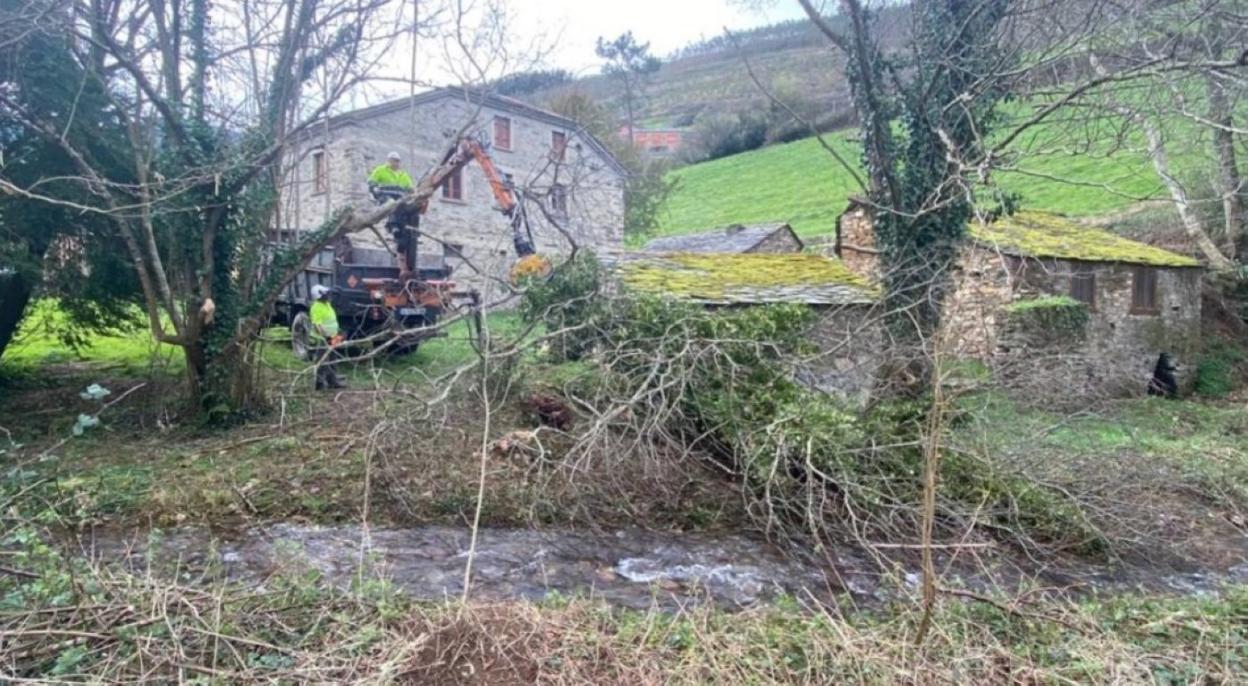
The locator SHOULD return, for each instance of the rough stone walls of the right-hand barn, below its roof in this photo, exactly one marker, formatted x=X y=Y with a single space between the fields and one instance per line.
x=1116 y=354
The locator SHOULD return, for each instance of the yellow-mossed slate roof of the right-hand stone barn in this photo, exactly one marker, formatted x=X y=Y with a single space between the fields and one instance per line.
x=1044 y=235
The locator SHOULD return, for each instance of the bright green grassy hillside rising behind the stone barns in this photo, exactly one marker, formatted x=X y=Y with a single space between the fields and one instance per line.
x=804 y=185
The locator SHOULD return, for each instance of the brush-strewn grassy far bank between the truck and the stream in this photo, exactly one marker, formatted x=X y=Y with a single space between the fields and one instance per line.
x=319 y=457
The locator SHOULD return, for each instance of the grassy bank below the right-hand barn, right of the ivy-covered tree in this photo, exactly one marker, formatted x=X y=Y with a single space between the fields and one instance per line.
x=1163 y=481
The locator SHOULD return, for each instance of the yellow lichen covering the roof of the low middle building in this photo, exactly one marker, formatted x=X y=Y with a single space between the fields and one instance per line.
x=721 y=276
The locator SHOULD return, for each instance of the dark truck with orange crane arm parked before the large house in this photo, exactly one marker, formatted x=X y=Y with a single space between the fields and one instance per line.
x=395 y=296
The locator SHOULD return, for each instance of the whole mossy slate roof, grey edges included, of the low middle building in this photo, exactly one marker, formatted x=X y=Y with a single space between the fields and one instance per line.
x=744 y=279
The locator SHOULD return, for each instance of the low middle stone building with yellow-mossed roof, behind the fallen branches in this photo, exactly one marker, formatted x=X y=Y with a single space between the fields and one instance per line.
x=847 y=330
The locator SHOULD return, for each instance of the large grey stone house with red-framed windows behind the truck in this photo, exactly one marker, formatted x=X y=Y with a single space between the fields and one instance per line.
x=575 y=179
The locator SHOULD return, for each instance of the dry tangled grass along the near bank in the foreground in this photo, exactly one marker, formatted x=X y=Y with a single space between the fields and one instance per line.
x=114 y=627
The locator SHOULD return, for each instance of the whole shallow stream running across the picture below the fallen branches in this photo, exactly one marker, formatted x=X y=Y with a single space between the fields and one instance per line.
x=630 y=568
